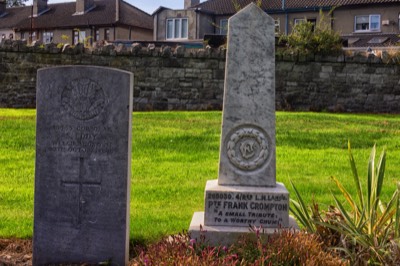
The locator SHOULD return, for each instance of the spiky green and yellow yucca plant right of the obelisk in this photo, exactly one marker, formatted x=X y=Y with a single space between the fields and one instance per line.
x=367 y=222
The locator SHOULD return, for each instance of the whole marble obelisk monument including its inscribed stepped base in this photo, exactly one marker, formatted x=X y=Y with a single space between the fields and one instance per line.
x=246 y=192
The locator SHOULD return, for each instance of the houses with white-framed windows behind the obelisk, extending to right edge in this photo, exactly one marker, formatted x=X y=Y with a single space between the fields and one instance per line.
x=361 y=22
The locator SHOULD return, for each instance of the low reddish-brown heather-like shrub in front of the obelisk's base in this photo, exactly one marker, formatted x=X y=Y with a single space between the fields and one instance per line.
x=284 y=248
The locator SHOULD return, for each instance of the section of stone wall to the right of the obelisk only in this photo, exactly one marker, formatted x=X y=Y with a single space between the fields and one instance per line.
x=354 y=83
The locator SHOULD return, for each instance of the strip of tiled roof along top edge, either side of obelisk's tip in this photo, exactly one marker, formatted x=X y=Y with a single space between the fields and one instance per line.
x=226 y=7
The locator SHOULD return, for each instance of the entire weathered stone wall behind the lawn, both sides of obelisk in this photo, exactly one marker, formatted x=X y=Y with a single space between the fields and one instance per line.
x=185 y=79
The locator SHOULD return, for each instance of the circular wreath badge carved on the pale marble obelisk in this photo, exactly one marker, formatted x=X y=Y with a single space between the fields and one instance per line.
x=248 y=148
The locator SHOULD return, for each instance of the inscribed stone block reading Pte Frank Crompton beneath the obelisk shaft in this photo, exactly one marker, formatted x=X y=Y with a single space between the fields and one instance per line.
x=242 y=205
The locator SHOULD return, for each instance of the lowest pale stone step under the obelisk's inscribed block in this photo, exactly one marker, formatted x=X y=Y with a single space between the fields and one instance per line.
x=226 y=235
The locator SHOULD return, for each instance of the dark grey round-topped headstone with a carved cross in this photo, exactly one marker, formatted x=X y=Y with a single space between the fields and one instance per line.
x=83 y=156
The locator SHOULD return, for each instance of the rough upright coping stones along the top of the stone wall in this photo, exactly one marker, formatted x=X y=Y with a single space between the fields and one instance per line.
x=389 y=56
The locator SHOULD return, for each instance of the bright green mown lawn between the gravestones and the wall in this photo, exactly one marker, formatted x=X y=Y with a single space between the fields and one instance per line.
x=175 y=153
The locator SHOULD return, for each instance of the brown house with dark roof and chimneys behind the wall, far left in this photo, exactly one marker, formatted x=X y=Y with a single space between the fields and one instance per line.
x=73 y=22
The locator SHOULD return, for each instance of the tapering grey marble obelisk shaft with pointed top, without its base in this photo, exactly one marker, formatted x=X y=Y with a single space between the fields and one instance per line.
x=247 y=151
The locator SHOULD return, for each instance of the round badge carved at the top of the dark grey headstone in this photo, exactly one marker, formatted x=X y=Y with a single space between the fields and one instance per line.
x=83 y=98
